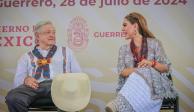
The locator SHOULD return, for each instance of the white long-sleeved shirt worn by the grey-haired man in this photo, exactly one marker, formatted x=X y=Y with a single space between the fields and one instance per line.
x=24 y=67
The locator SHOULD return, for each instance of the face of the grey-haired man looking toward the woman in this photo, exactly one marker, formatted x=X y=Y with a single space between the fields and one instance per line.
x=46 y=35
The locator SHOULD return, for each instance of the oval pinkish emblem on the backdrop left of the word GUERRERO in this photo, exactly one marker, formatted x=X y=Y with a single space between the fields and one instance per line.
x=77 y=33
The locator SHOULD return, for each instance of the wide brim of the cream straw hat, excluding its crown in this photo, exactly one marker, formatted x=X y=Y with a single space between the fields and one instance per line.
x=65 y=103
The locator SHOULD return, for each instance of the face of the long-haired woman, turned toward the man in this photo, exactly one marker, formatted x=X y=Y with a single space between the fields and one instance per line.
x=129 y=29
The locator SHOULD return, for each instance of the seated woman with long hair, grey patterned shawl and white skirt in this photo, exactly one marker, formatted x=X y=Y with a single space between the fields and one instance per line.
x=143 y=70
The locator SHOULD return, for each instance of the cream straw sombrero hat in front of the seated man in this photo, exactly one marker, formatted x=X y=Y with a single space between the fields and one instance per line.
x=71 y=91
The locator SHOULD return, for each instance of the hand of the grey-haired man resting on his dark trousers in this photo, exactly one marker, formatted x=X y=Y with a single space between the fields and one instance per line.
x=31 y=82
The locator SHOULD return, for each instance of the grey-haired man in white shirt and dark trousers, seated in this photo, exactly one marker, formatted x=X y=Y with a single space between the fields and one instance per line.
x=37 y=68
